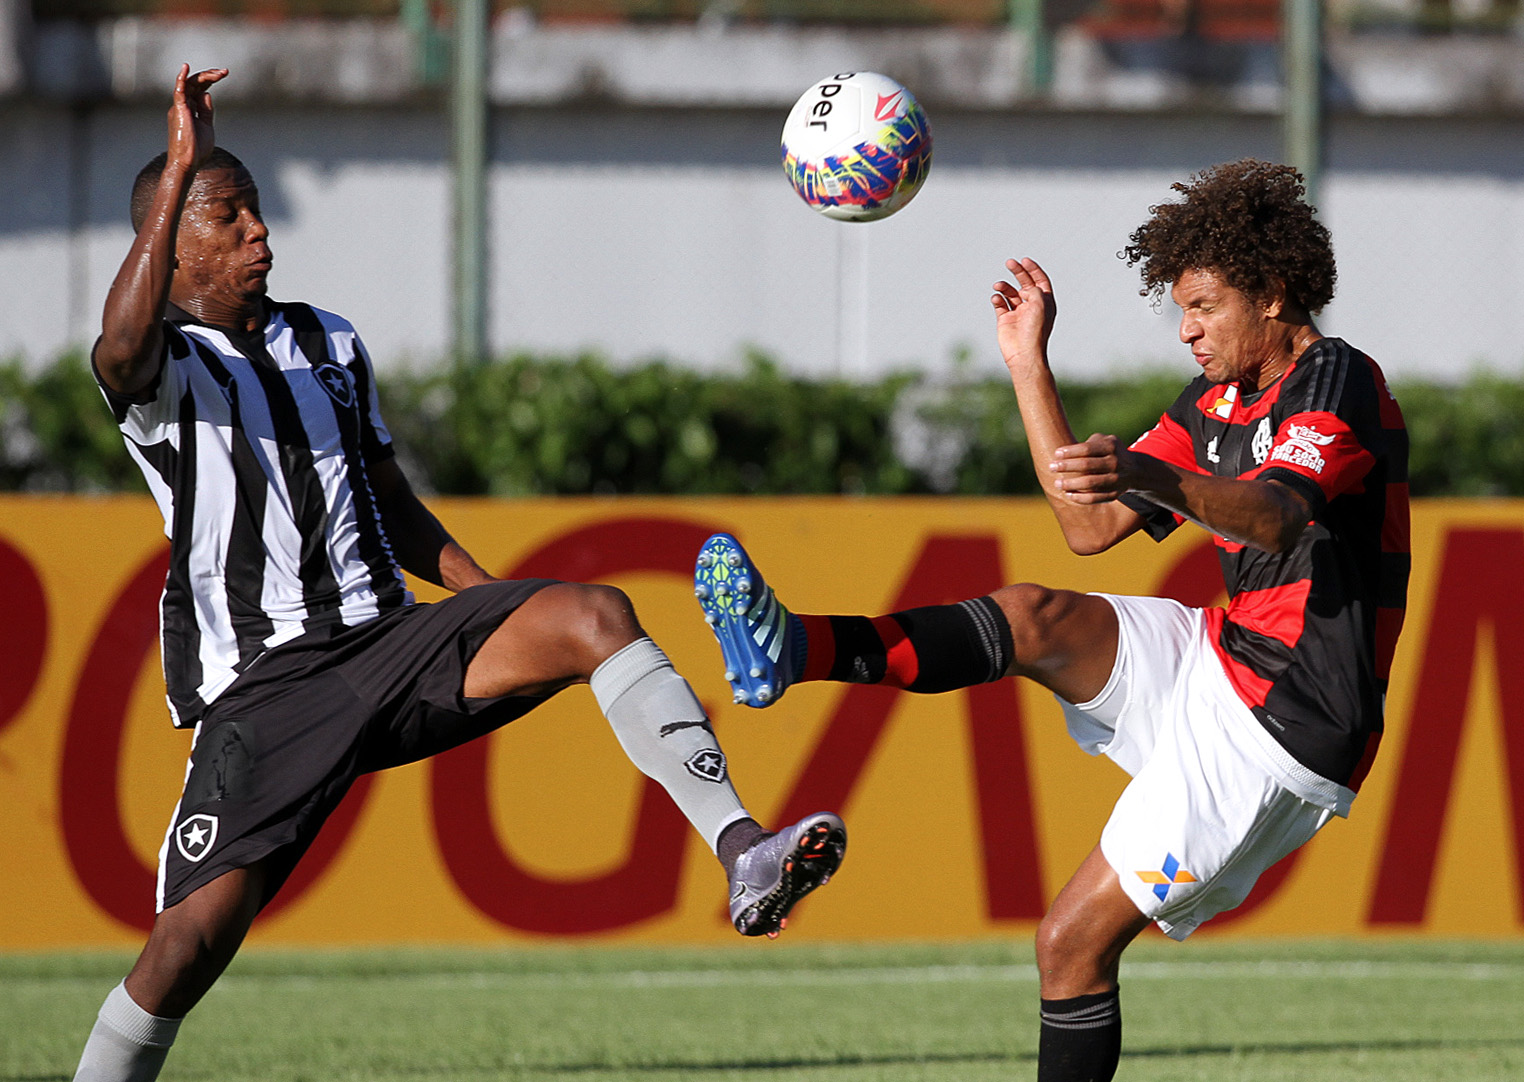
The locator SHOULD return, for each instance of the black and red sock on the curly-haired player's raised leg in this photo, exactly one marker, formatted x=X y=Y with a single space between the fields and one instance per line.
x=923 y=650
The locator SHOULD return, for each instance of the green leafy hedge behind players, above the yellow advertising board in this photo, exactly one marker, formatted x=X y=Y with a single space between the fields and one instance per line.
x=531 y=426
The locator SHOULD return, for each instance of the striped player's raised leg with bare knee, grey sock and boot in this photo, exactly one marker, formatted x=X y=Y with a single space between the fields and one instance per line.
x=572 y=633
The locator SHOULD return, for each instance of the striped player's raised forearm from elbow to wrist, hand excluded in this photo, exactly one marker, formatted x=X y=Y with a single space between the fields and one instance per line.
x=132 y=338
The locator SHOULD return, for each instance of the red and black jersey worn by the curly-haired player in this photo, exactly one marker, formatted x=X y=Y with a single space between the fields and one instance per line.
x=1308 y=636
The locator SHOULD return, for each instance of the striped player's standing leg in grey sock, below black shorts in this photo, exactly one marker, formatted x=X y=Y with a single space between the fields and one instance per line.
x=188 y=950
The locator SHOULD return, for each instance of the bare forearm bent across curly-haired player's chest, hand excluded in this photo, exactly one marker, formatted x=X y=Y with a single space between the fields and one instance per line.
x=1260 y=514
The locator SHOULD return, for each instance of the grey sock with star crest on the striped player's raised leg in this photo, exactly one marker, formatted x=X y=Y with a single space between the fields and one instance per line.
x=665 y=732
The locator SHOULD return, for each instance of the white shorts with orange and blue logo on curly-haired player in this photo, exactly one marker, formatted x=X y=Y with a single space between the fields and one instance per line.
x=1214 y=801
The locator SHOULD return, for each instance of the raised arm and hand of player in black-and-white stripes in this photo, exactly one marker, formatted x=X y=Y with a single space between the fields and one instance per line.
x=132 y=339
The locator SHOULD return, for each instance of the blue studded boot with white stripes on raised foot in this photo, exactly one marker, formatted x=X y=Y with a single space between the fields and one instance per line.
x=763 y=642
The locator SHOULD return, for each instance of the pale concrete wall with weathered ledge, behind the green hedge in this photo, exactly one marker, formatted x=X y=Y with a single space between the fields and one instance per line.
x=636 y=225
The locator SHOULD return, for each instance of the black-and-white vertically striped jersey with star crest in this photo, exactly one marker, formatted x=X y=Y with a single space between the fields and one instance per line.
x=257 y=449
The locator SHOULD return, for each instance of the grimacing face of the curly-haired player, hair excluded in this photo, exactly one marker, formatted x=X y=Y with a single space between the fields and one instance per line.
x=1231 y=336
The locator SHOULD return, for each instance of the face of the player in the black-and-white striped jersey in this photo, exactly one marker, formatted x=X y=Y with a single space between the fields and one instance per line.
x=223 y=248
